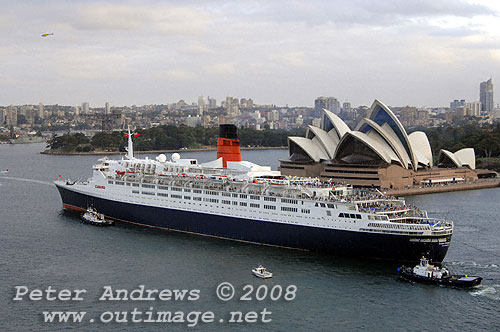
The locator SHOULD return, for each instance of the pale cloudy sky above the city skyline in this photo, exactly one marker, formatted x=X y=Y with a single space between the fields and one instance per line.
x=419 y=53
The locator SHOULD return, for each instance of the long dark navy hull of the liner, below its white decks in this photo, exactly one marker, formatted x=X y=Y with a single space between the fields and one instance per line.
x=403 y=248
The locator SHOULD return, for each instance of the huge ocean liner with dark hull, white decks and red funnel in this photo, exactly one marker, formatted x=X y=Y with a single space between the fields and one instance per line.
x=238 y=200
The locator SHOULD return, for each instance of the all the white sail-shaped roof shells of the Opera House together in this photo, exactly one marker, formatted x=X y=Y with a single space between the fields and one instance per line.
x=380 y=137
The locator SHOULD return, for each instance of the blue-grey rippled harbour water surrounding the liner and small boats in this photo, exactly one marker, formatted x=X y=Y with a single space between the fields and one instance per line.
x=41 y=245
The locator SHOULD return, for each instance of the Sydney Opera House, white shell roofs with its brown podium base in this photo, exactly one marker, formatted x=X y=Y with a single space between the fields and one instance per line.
x=377 y=153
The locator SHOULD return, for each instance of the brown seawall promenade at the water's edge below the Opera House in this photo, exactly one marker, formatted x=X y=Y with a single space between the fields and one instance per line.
x=445 y=188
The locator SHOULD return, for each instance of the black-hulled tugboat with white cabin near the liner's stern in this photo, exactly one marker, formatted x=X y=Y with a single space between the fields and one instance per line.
x=431 y=274
